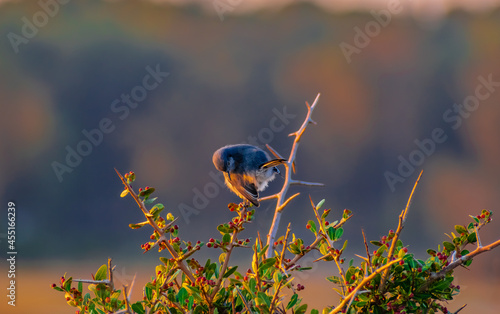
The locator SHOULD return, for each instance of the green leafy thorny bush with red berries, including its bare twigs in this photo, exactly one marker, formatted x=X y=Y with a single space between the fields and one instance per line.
x=388 y=280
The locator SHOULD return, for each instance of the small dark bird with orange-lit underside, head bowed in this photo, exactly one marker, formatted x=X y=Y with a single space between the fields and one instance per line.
x=247 y=169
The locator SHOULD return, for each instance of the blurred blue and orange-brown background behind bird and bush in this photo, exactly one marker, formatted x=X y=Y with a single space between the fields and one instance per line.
x=157 y=86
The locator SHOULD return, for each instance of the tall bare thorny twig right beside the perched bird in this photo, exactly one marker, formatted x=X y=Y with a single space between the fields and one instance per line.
x=282 y=201
